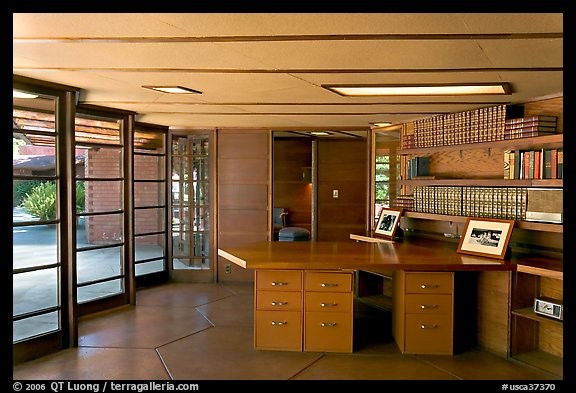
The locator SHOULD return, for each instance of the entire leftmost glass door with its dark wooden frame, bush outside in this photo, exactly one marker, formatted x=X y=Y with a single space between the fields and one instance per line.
x=42 y=319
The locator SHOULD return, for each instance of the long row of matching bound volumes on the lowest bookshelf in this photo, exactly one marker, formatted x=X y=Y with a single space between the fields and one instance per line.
x=489 y=202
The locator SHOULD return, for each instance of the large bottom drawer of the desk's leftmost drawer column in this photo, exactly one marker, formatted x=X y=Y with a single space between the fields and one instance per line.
x=278 y=330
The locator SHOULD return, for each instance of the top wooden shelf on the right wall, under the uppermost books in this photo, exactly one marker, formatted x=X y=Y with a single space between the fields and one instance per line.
x=549 y=141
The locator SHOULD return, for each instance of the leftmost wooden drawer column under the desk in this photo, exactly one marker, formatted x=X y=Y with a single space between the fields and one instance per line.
x=278 y=313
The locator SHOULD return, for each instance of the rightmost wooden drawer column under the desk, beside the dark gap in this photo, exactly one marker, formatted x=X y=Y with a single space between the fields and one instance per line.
x=423 y=312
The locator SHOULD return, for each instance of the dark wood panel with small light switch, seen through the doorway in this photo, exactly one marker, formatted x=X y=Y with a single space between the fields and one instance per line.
x=342 y=166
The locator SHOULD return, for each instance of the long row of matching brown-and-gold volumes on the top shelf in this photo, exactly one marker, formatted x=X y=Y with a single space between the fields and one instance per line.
x=478 y=125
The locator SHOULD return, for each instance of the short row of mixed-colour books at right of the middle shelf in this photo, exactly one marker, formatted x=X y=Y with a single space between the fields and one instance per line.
x=534 y=164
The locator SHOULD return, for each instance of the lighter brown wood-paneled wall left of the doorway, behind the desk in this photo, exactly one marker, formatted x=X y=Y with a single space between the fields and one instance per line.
x=244 y=193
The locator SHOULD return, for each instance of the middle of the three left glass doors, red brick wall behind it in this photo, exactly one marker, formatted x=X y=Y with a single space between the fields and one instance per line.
x=103 y=201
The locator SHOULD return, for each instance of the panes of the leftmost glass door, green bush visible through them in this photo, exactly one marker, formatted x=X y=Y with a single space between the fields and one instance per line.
x=36 y=224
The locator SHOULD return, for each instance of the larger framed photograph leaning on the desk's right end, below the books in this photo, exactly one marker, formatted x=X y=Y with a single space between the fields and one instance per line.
x=486 y=237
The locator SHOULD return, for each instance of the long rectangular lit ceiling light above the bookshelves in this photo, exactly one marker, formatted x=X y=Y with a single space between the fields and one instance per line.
x=445 y=89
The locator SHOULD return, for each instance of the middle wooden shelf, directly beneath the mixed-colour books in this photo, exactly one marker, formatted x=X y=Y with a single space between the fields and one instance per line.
x=556 y=183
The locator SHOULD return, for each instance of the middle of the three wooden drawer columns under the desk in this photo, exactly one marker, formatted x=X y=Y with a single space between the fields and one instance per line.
x=328 y=317
